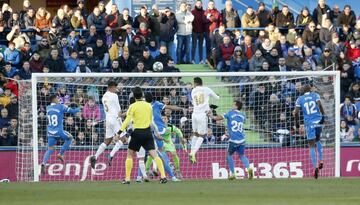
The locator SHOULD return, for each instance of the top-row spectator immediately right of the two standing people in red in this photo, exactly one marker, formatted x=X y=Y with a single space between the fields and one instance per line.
x=229 y=16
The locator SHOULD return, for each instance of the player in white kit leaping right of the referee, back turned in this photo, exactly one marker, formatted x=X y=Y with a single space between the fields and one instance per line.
x=200 y=99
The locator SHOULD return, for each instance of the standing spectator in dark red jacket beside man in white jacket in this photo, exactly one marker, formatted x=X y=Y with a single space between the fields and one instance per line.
x=198 y=31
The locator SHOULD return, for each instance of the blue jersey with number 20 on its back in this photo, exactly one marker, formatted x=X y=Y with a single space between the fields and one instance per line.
x=235 y=123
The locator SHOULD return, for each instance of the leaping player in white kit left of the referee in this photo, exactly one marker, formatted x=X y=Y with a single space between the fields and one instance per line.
x=112 y=108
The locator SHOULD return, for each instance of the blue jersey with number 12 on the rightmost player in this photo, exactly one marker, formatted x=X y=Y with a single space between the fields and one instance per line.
x=308 y=104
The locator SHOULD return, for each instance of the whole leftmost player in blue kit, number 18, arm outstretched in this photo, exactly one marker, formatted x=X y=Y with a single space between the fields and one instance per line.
x=55 y=131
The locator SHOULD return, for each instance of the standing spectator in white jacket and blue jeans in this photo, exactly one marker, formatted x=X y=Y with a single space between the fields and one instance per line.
x=184 y=19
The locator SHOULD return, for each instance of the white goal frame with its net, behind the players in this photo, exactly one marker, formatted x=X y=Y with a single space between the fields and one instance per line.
x=267 y=150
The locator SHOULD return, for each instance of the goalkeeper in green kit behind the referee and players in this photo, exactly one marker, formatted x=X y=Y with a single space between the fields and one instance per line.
x=169 y=146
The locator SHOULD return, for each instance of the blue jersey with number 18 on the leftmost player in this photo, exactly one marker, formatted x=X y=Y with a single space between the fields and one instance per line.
x=55 y=116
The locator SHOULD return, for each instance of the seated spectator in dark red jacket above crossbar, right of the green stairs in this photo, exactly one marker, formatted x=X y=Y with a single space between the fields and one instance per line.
x=225 y=53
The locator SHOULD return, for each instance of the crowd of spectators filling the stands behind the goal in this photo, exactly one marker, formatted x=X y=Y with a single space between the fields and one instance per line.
x=75 y=40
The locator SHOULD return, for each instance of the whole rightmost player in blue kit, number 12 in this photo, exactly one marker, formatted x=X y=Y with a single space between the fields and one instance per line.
x=314 y=116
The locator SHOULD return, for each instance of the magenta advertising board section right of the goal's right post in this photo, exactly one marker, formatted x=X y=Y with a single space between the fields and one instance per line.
x=350 y=161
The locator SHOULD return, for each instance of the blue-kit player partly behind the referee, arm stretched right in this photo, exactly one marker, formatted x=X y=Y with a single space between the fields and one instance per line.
x=157 y=108
